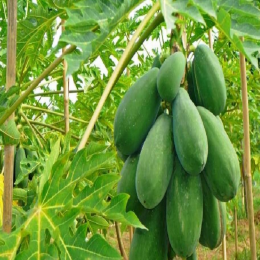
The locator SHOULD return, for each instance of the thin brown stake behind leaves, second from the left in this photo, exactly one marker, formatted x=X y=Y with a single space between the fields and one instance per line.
x=65 y=90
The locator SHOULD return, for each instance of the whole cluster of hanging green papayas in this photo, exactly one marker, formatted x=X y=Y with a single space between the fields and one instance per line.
x=180 y=166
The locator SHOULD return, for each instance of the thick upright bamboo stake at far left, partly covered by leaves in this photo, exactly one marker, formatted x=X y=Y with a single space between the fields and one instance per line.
x=10 y=81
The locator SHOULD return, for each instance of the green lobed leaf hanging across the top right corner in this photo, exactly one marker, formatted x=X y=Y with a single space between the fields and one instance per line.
x=233 y=18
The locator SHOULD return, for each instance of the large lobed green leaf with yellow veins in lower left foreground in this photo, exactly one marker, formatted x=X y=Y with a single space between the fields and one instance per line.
x=49 y=231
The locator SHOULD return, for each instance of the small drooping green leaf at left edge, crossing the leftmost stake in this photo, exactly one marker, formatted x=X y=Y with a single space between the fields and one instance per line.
x=10 y=133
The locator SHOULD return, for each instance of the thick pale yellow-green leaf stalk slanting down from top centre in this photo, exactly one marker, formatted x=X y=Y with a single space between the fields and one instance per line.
x=125 y=58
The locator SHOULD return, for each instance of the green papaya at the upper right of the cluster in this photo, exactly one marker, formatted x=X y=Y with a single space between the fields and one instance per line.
x=209 y=80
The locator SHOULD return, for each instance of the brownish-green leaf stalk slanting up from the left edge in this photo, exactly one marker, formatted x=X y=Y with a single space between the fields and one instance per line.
x=34 y=84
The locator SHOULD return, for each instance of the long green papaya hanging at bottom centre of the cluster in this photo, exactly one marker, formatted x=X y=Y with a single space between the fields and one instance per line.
x=184 y=209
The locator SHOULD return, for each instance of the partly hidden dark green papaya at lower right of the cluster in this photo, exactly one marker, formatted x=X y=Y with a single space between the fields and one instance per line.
x=214 y=219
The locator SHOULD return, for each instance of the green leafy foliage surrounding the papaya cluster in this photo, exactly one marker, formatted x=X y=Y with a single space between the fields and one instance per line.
x=71 y=195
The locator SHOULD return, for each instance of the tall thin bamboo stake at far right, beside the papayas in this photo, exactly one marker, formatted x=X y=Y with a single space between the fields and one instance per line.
x=247 y=158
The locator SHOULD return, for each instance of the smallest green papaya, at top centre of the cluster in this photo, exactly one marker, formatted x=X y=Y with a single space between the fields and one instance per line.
x=170 y=76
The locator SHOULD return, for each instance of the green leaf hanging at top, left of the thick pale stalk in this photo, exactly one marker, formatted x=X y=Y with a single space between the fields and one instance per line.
x=89 y=24
